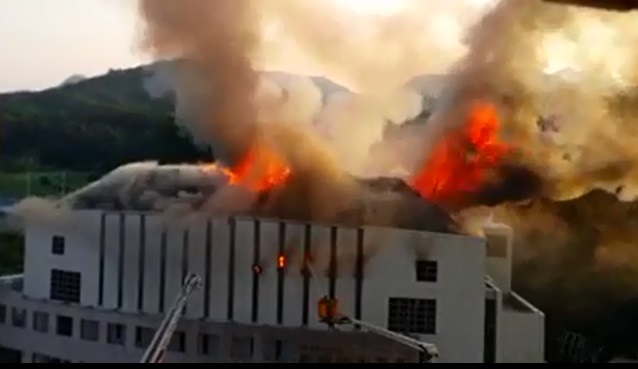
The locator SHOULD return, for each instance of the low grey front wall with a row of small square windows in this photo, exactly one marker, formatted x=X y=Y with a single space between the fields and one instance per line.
x=336 y=346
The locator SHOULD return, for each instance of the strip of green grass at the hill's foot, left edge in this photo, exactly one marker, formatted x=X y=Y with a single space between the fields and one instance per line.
x=17 y=185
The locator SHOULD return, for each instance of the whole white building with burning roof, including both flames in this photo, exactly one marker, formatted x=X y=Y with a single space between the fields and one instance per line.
x=270 y=236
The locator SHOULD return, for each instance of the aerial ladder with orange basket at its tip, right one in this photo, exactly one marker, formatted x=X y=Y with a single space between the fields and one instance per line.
x=328 y=310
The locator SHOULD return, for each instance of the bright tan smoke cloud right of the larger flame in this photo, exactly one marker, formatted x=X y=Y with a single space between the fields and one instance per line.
x=565 y=79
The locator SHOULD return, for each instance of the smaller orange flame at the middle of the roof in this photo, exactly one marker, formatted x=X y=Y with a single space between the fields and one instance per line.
x=259 y=170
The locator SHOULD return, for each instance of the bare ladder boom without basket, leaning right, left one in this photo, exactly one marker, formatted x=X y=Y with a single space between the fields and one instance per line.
x=156 y=350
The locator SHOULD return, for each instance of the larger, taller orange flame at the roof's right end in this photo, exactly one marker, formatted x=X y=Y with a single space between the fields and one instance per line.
x=460 y=163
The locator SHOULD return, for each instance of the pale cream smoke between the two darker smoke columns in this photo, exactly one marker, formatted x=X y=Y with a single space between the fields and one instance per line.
x=373 y=48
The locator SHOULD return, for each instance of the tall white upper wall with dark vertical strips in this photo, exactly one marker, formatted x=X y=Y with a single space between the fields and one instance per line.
x=134 y=264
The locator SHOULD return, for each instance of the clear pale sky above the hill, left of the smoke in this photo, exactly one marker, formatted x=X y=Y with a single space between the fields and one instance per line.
x=42 y=42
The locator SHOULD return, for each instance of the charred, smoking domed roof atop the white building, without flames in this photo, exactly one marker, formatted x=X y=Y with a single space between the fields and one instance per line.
x=150 y=187
